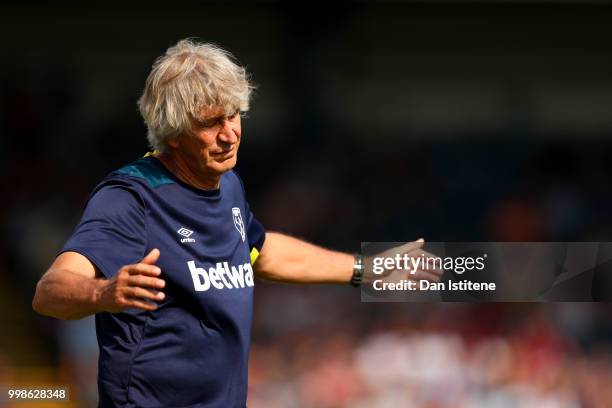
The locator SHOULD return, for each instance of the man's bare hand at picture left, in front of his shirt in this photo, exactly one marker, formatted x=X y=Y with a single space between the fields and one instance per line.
x=134 y=286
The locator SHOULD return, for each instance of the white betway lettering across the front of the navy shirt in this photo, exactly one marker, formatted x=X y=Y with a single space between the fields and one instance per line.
x=222 y=276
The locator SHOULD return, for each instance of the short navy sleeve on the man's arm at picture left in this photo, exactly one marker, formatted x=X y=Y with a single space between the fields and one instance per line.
x=112 y=231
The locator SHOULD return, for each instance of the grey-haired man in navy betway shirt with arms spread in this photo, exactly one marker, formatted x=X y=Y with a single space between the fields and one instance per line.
x=167 y=249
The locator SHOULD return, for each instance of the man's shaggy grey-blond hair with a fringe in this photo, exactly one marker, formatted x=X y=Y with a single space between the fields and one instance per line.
x=191 y=76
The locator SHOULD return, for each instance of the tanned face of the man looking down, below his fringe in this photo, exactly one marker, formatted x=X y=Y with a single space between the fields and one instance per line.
x=212 y=148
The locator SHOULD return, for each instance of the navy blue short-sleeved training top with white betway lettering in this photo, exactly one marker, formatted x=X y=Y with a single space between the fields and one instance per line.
x=193 y=350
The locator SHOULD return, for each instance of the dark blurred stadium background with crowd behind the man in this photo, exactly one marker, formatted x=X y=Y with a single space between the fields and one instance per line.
x=372 y=121
